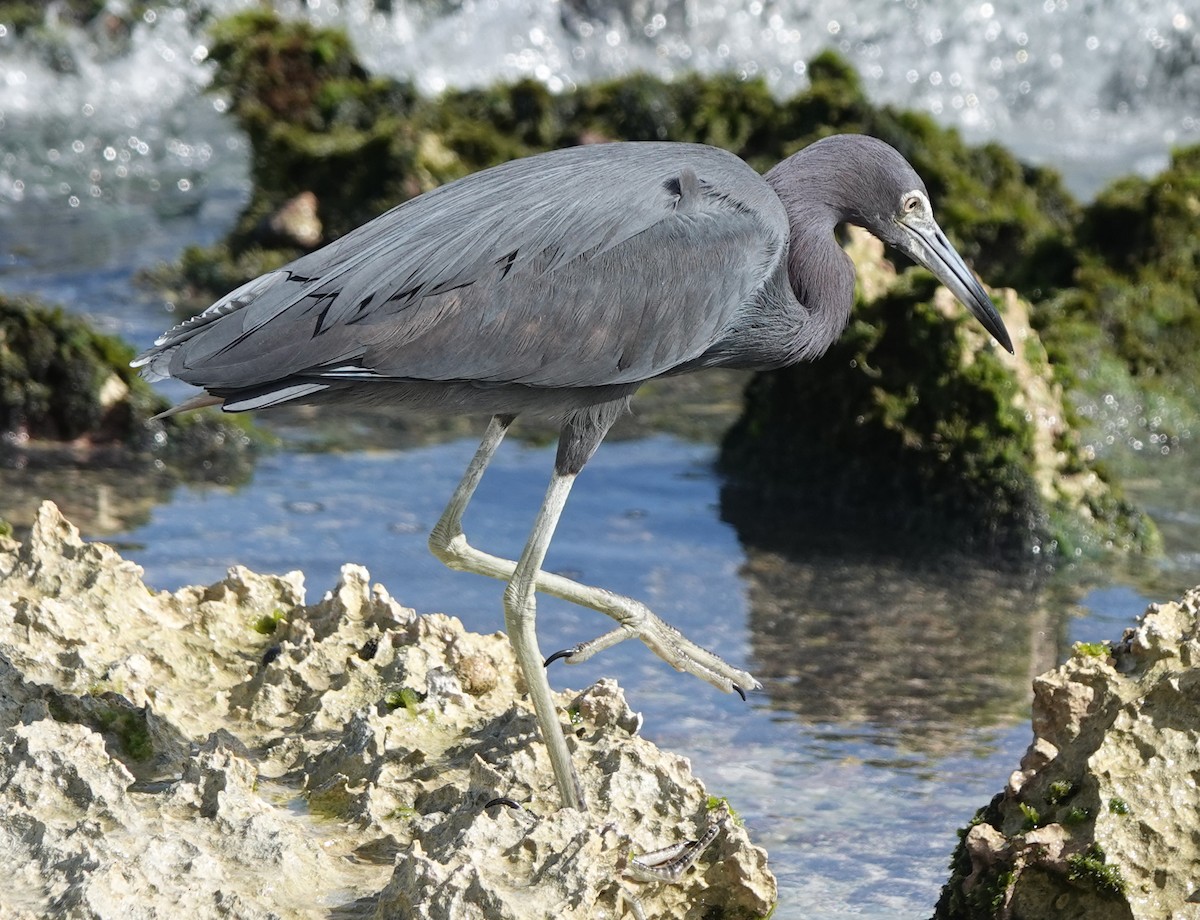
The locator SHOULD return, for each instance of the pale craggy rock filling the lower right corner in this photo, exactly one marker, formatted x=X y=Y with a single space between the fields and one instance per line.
x=1103 y=819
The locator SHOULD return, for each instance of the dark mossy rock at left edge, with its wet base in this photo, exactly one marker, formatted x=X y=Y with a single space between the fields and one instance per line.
x=76 y=419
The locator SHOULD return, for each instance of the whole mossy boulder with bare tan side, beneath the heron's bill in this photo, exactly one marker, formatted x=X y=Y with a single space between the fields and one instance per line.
x=915 y=424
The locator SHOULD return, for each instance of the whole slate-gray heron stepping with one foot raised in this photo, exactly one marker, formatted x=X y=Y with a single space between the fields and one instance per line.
x=559 y=285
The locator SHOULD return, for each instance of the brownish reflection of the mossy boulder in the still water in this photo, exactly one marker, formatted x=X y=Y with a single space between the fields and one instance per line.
x=913 y=650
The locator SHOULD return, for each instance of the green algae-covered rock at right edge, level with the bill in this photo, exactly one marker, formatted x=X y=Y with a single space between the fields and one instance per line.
x=1127 y=328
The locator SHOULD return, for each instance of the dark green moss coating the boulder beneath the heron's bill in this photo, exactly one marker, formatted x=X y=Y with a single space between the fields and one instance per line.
x=896 y=424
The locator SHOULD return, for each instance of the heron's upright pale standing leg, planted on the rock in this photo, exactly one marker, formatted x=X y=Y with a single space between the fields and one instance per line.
x=520 y=616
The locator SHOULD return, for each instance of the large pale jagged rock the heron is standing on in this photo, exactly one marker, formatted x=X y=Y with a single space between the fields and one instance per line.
x=231 y=751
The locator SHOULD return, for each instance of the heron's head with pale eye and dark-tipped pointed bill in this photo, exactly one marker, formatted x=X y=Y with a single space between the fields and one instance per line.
x=883 y=194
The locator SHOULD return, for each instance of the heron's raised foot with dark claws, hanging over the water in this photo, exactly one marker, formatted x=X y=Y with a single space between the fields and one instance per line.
x=665 y=641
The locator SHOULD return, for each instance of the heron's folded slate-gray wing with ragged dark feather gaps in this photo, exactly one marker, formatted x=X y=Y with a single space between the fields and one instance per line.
x=585 y=267
